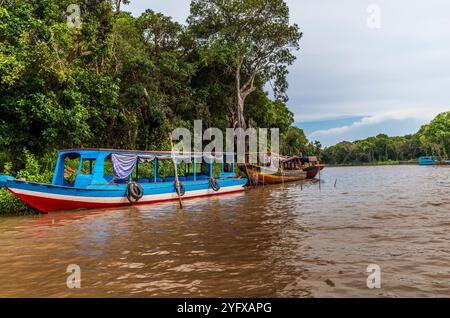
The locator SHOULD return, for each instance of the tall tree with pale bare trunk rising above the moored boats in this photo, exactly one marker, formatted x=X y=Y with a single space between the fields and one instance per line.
x=253 y=37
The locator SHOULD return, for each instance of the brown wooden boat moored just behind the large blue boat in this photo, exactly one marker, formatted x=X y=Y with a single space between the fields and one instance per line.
x=289 y=171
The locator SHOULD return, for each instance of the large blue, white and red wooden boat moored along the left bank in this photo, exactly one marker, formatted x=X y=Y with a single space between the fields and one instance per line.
x=100 y=179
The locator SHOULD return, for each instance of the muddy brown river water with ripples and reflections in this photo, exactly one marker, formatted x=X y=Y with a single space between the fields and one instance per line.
x=276 y=241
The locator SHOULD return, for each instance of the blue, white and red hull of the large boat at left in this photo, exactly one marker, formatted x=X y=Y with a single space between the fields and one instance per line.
x=49 y=198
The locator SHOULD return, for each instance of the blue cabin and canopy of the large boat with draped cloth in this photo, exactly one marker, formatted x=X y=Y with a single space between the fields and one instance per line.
x=90 y=169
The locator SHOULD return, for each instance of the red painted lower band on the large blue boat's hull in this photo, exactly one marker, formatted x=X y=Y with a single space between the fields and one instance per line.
x=47 y=205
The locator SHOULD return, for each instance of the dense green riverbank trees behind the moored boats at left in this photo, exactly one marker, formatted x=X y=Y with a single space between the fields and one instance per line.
x=114 y=80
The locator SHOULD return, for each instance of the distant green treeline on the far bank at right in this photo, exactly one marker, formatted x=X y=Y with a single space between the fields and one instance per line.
x=432 y=139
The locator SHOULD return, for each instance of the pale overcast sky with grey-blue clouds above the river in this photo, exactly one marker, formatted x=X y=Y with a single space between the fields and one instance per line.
x=351 y=81
